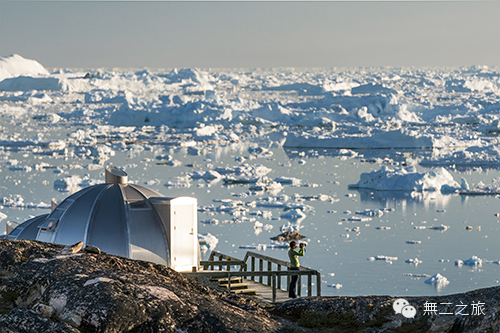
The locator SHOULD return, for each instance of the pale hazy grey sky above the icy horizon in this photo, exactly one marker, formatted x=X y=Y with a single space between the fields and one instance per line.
x=251 y=34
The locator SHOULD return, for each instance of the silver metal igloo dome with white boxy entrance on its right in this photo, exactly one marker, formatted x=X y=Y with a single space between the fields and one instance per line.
x=123 y=219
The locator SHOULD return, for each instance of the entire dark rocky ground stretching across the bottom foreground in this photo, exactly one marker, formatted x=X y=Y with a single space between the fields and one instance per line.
x=43 y=290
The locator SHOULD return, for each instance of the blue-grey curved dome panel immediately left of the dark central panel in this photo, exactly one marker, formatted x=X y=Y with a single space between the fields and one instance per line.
x=73 y=223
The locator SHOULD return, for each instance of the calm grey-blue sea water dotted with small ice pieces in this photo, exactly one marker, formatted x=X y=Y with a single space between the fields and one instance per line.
x=339 y=246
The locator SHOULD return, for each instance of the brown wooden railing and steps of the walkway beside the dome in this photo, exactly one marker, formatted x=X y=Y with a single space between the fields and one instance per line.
x=263 y=269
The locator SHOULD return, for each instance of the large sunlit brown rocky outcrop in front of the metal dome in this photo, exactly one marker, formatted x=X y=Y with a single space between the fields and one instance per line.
x=43 y=290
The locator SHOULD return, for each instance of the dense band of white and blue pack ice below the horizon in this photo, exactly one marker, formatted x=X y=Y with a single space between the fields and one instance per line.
x=373 y=108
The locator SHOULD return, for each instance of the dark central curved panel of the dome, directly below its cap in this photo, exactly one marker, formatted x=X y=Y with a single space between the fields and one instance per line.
x=108 y=228
